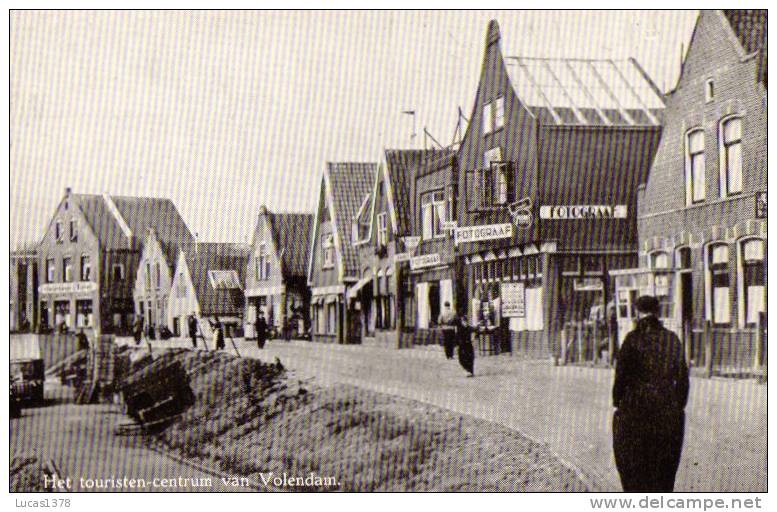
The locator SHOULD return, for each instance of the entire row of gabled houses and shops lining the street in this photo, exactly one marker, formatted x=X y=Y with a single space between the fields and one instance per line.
x=577 y=186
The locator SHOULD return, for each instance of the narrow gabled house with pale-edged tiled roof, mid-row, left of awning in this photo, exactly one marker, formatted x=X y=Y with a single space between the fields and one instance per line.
x=333 y=265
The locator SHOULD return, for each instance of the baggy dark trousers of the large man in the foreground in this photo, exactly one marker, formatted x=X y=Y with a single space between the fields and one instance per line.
x=647 y=449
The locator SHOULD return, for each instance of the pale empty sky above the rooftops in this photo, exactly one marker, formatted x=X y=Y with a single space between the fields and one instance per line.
x=225 y=111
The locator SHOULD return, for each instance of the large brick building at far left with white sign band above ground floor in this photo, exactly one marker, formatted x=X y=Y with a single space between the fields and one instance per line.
x=89 y=254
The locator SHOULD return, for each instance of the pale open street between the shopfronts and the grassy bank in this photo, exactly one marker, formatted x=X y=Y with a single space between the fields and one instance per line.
x=569 y=408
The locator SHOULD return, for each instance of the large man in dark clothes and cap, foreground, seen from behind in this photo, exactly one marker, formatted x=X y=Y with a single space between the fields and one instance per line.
x=650 y=394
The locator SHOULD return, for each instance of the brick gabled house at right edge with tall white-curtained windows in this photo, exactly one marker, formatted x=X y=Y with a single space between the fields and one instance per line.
x=702 y=212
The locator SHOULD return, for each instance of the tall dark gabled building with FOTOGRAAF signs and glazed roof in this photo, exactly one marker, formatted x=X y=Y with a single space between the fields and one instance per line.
x=547 y=186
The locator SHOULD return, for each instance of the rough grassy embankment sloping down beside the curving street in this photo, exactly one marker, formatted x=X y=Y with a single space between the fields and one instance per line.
x=252 y=418
